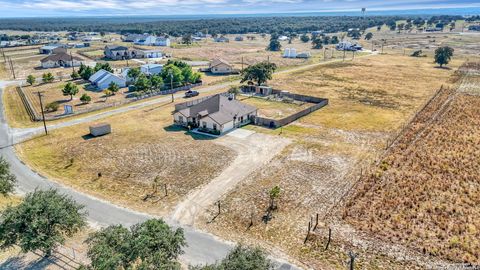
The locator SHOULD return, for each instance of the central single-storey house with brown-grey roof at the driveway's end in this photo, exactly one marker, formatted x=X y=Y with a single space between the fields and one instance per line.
x=215 y=114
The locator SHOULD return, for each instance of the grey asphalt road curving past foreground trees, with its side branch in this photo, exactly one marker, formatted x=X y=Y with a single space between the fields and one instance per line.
x=202 y=247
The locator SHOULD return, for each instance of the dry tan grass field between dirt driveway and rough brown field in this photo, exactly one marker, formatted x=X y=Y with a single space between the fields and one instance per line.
x=370 y=99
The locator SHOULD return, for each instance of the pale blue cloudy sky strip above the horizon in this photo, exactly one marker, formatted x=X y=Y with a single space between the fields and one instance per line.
x=40 y=8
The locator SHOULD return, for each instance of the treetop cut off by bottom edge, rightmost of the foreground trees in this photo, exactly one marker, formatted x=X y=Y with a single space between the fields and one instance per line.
x=242 y=257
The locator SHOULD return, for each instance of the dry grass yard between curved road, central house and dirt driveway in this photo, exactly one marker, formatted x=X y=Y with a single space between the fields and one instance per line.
x=141 y=147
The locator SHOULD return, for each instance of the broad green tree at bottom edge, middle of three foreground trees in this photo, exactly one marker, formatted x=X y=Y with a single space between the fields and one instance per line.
x=150 y=245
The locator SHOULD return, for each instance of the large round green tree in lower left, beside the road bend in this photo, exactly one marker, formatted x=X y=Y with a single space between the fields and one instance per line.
x=41 y=221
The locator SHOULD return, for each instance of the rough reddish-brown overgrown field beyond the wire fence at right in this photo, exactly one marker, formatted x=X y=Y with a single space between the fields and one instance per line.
x=423 y=192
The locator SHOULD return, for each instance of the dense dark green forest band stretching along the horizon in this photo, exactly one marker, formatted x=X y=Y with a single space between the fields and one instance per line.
x=280 y=25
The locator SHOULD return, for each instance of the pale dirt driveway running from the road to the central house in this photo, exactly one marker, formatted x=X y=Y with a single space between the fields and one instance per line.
x=254 y=150
